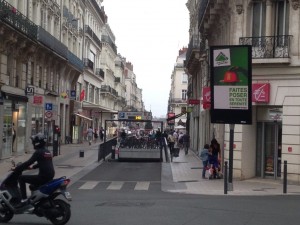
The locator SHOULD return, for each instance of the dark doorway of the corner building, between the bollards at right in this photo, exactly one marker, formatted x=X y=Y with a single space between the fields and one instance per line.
x=268 y=153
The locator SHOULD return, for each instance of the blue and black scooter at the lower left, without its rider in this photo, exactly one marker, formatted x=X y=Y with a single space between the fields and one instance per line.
x=43 y=201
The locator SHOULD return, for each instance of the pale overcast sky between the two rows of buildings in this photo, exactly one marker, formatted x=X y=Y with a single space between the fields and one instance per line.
x=149 y=34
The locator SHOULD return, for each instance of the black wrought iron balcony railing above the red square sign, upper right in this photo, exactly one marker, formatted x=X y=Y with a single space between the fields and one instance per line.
x=268 y=46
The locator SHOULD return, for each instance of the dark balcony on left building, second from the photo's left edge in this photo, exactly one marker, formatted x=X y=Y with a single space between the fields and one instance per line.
x=51 y=42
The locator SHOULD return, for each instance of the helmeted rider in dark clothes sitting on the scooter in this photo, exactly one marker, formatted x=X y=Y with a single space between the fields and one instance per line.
x=43 y=157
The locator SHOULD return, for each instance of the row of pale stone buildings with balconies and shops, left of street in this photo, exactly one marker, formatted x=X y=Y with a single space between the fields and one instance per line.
x=59 y=71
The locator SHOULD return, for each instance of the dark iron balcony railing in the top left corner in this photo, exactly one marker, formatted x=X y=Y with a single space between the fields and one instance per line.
x=17 y=20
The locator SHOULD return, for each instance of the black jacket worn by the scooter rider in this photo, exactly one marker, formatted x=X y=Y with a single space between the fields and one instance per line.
x=43 y=157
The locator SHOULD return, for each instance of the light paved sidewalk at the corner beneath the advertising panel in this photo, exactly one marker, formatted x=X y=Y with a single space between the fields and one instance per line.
x=187 y=178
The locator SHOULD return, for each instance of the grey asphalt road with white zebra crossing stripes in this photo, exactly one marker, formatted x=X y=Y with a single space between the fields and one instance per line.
x=130 y=194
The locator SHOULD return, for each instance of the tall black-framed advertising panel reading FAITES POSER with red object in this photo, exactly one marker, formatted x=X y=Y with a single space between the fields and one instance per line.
x=231 y=84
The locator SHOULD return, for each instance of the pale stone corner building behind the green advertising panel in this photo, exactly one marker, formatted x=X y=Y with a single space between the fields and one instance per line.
x=271 y=28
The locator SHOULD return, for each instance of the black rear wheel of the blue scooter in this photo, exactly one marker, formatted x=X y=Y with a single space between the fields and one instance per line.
x=64 y=214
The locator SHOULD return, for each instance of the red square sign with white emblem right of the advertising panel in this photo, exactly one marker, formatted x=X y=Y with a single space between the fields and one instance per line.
x=261 y=92
